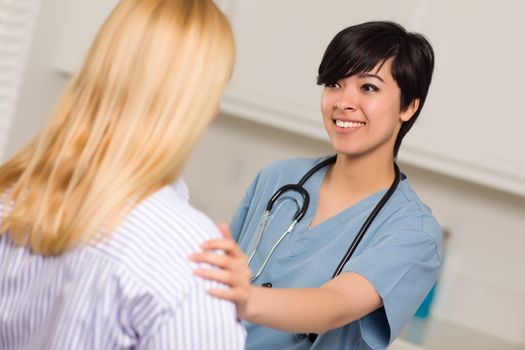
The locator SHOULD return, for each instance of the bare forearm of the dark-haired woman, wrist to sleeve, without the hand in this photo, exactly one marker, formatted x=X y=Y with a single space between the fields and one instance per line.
x=340 y=301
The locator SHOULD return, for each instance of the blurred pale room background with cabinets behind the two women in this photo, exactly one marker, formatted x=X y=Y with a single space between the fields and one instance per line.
x=465 y=156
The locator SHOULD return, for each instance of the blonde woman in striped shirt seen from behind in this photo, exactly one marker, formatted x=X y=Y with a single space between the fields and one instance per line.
x=95 y=226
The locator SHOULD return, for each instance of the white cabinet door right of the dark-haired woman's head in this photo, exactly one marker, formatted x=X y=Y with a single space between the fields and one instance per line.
x=473 y=124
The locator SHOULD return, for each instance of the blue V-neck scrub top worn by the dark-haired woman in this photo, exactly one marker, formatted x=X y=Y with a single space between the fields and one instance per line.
x=400 y=254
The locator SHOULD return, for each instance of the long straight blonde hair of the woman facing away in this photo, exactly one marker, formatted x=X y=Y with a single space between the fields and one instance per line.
x=149 y=86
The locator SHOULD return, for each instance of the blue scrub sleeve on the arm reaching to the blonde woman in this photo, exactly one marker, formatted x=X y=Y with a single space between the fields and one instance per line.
x=402 y=265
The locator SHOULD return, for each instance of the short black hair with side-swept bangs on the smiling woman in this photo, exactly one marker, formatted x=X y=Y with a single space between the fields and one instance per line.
x=359 y=48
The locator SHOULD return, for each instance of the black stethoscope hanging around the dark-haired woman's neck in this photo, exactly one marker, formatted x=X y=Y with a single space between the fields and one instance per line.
x=302 y=209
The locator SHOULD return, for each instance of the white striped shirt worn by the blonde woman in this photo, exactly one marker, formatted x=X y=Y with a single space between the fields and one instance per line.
x=134 y=290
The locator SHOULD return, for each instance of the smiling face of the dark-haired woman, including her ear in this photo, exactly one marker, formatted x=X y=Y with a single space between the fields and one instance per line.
x=362 y=113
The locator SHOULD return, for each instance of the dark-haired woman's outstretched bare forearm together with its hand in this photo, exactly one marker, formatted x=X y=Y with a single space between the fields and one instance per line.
x=342 y=300
